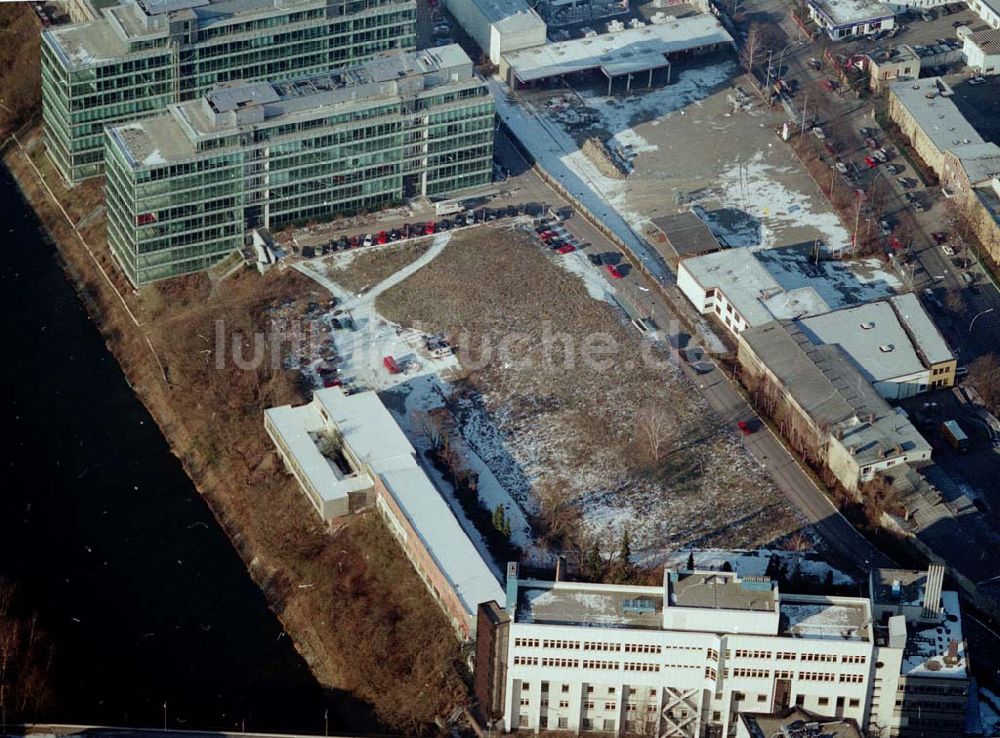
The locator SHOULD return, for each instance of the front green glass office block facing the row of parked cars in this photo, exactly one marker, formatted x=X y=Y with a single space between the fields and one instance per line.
x=185 y=187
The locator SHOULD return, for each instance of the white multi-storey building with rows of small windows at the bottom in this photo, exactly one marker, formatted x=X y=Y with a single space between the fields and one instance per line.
x=686 y=658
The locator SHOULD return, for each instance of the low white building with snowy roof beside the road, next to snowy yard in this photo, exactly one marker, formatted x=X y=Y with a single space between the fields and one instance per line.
x=735 y=287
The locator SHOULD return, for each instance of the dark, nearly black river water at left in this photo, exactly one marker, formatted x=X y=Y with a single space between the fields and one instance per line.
x=146 y=601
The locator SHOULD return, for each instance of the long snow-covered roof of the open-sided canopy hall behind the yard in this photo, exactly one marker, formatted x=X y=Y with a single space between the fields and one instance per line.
x=631 y=50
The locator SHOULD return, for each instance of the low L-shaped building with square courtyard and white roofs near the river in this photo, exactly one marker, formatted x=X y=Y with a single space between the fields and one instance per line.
x=348 y=454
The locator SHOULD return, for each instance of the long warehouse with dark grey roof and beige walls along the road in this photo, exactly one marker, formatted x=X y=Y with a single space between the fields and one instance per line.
x=838 y=416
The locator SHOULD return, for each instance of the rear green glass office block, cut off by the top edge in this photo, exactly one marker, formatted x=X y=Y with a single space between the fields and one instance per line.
x=142 y=55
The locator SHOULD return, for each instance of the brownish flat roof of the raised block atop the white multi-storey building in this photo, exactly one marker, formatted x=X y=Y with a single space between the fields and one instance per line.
x=721 y=591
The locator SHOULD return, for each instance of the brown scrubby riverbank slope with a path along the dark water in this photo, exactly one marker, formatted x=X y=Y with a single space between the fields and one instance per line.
x=350 y=601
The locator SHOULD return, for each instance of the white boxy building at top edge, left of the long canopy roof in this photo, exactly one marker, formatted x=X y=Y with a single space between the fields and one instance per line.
x=499 y=26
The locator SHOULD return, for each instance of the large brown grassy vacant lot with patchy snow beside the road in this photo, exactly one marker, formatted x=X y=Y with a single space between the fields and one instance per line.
x=590 y=429
